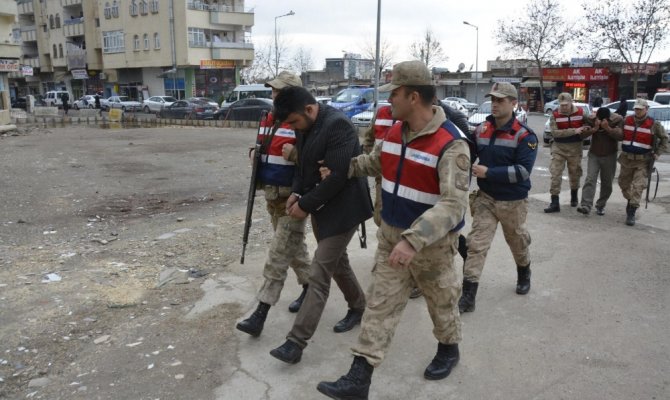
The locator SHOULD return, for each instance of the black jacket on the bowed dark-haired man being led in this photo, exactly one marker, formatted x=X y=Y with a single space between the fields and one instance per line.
x=337 y=203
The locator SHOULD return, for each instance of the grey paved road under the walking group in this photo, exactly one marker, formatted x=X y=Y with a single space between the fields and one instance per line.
x=594 y=326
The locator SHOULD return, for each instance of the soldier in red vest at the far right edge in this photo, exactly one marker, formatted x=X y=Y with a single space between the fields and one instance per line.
x=643 y=142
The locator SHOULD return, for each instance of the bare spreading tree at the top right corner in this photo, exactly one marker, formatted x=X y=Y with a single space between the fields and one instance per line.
x=626 y=31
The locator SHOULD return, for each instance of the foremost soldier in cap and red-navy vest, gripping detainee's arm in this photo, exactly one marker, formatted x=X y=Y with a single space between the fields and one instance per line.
x=425 y=165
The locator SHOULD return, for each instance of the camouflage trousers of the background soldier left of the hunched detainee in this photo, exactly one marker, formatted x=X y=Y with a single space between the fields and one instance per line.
x=562 y=154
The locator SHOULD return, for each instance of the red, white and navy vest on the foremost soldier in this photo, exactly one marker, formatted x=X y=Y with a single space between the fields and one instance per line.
x=410 y=181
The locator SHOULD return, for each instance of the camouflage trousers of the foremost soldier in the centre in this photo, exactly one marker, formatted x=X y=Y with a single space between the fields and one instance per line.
x=433 y=271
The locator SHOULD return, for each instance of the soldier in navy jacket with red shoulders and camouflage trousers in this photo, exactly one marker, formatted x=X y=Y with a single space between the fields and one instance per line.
x=506 y=150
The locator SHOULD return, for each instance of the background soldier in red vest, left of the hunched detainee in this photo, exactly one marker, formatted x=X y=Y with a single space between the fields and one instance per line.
x=567 y=124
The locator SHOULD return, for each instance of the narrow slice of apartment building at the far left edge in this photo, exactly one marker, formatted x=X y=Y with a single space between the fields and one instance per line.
x=10 y=52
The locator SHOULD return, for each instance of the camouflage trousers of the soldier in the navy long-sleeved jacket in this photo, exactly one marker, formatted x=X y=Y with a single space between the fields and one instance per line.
x=487 y=212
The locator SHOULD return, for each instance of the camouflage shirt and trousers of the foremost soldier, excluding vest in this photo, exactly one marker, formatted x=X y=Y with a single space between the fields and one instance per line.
x=432 y=269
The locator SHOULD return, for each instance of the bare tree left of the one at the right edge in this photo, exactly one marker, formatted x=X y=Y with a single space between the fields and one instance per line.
x=540 y=34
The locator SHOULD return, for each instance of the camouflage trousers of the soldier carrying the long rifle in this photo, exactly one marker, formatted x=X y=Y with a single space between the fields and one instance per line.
x=287 y=248
